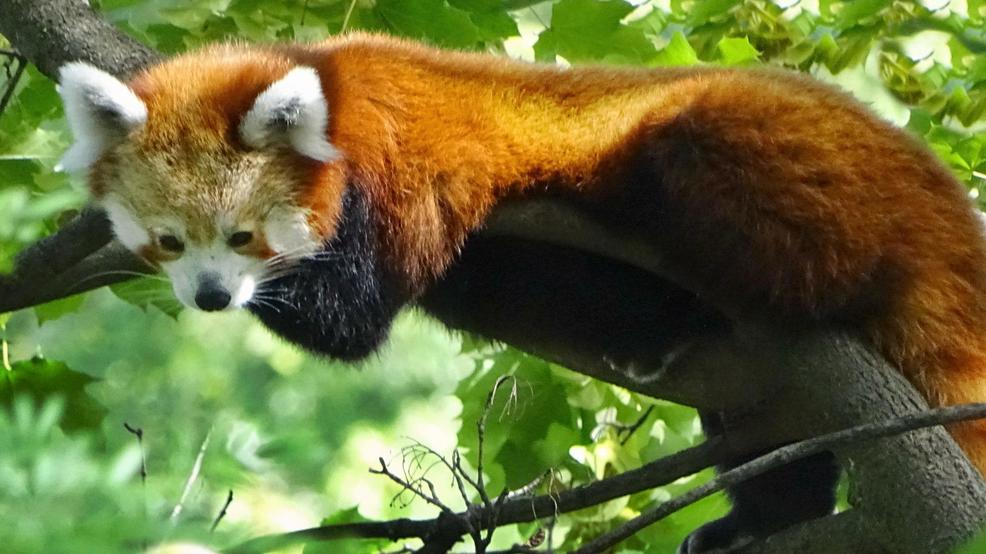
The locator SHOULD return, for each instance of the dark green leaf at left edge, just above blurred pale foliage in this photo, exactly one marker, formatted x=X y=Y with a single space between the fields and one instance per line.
x=41 y=379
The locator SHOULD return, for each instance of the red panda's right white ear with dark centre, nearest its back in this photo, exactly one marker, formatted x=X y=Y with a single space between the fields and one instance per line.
x=293 y=111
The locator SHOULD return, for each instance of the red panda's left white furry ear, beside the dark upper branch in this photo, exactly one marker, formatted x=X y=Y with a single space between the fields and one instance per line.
x=100 y=110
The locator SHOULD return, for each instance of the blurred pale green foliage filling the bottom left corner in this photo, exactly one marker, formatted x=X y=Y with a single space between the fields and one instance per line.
x=67 y=495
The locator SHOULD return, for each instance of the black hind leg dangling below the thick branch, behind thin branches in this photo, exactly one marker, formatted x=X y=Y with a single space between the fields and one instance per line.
x=780 y=498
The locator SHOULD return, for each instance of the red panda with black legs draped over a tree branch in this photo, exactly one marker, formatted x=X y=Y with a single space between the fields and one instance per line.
x=325 y=186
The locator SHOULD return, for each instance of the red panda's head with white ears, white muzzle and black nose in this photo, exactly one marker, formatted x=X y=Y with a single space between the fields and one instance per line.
x=202 y=164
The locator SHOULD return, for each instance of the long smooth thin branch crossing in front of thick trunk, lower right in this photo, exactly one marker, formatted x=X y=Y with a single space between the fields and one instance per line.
x=783 y=456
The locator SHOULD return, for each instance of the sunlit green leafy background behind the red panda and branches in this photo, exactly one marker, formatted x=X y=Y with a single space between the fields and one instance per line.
x=293 y=436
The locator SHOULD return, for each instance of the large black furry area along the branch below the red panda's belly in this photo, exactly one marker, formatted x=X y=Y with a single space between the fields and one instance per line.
x=541 y=297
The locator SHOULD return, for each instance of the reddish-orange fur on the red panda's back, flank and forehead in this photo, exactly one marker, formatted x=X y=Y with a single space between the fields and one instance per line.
x=777 y=190
